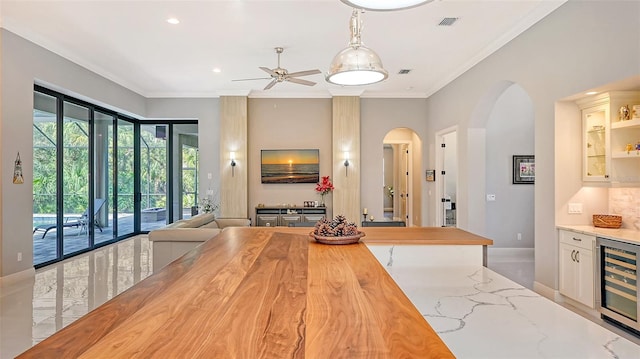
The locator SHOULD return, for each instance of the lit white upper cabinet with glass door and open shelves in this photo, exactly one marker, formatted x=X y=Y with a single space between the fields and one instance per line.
x=609 y=141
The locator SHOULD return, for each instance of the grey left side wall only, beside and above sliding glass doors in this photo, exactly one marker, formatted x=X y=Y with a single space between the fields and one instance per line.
x=23 y=64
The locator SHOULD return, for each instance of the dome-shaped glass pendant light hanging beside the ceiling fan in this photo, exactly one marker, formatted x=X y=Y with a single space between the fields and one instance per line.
x=357 y=64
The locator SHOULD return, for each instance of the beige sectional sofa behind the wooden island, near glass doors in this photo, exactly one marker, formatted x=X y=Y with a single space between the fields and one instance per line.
x=178 y=238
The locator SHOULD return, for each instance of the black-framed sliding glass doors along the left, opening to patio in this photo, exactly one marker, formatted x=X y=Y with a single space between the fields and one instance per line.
x=99 y=176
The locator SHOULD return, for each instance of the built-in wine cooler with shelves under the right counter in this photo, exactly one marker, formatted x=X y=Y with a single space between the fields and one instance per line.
x=617 y=295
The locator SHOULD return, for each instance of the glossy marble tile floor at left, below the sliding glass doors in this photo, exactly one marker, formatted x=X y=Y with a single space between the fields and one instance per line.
x=59 y=294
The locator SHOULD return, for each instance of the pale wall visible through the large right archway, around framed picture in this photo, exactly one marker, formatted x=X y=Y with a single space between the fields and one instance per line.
x=509 y=132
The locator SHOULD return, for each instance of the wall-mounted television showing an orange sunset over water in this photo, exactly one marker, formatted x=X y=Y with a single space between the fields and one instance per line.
x=290 y=166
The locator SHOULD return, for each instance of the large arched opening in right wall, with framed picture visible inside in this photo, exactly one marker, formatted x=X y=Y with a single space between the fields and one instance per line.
x=502 y=127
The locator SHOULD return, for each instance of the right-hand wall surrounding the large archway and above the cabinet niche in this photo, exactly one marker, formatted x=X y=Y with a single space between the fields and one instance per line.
x=565 y=53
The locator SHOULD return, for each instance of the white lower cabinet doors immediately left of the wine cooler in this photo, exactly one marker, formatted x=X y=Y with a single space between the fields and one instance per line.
x=576 y=267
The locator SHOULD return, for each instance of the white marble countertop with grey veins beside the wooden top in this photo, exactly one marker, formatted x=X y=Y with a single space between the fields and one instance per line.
x=480 y=314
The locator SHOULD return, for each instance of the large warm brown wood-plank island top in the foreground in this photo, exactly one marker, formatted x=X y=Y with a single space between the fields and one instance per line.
x=256 y=293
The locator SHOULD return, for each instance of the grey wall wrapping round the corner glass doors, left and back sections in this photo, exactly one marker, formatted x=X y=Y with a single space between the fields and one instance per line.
x=23 y=64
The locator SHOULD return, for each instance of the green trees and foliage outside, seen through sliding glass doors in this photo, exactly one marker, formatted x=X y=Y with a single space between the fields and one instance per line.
x=75 y=167
